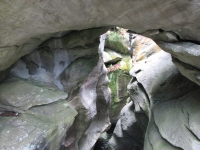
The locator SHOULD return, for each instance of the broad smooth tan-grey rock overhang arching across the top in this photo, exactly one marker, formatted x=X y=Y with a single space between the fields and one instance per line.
x=25 y=25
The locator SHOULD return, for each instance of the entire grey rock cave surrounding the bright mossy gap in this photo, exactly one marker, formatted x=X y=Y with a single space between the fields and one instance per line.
x=50 y=66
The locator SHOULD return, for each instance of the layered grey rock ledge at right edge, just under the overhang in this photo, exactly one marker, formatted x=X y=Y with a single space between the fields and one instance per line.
x=186 y=58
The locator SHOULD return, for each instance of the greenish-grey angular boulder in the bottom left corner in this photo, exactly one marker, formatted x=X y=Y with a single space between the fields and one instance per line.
x=41 y=127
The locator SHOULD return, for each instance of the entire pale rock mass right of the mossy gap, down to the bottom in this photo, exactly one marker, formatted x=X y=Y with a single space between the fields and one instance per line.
x=156 y=85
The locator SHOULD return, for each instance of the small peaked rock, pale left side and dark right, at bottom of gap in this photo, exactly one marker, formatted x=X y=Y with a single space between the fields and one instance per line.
x=130 y=130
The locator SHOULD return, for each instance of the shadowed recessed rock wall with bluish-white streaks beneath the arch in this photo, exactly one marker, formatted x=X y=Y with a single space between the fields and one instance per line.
x=52 y=61
